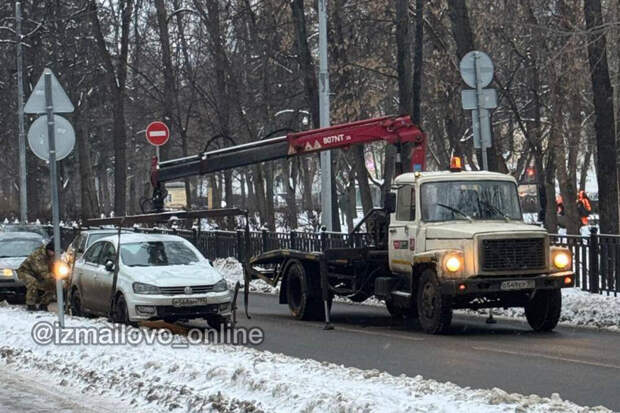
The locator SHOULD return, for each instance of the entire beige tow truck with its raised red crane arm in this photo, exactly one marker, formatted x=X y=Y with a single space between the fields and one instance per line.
x=442 y=241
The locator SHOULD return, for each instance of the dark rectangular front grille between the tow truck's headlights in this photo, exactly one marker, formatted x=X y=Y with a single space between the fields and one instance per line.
x=513 y=254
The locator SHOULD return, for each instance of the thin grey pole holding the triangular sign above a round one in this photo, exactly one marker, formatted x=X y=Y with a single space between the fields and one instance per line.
x=54 y=189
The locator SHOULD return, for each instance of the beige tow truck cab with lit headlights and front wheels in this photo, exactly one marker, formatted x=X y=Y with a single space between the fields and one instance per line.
x=457 y=240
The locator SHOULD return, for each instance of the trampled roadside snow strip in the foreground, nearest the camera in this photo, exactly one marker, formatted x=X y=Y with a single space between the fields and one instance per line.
x=227 y=378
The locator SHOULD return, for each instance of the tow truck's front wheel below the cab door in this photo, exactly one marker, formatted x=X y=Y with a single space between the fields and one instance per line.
x=434 y=309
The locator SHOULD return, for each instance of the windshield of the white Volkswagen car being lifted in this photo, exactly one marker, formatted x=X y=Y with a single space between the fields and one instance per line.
x=157 y=254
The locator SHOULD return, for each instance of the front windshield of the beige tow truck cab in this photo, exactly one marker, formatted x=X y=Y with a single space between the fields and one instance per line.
x=465 y=200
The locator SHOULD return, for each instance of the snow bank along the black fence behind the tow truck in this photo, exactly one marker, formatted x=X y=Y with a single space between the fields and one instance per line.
x=579 y=308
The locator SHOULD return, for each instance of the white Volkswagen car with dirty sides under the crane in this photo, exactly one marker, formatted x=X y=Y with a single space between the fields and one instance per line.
x=160 y=277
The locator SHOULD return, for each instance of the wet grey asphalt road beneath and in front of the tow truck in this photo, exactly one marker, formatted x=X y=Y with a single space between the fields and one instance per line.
x=582 y=365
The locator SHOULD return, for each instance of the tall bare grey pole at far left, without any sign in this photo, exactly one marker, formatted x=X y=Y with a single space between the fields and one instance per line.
x=23 y=197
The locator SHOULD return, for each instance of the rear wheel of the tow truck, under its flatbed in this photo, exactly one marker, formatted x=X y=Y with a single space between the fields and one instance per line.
x=304 y=303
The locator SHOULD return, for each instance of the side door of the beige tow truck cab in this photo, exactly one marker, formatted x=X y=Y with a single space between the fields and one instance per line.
x=402 y=230
